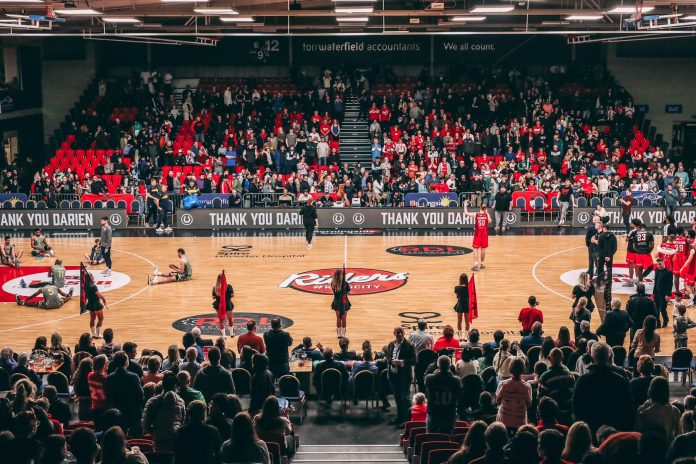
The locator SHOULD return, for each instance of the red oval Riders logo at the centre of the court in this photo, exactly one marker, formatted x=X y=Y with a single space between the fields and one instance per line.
x=362 y=281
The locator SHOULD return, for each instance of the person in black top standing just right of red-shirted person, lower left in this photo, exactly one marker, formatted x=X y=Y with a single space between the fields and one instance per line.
x=124 y=391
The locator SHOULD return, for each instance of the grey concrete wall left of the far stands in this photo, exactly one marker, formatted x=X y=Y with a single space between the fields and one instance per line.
x=64 y=81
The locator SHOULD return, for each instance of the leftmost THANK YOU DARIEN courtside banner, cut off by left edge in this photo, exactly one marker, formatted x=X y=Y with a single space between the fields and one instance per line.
x=62 y=219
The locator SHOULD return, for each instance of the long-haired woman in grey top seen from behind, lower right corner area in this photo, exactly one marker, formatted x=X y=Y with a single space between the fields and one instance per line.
x=657 y=414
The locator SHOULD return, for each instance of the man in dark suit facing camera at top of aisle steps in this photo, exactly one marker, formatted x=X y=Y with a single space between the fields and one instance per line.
x=401 y=357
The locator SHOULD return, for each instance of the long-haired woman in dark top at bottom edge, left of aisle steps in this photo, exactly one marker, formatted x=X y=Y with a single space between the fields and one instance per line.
x=243 y=445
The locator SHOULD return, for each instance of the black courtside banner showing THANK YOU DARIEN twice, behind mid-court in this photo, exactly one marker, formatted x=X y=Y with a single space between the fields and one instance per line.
x=332 y=218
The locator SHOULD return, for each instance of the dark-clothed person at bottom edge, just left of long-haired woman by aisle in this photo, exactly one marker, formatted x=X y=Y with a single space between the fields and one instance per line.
x=197 y=441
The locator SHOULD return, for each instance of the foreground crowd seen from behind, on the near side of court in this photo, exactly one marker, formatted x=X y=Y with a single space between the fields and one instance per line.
x=536 y=399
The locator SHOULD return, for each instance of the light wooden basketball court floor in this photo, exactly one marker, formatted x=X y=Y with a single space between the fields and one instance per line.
x=517 y=266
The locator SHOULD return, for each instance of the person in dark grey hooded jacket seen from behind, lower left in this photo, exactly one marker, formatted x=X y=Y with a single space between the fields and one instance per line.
x=164 y=414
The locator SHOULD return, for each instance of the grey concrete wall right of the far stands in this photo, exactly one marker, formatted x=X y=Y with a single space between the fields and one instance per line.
x=656 y=82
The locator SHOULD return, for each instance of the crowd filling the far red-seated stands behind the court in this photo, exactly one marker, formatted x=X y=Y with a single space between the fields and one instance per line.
x=525 y=129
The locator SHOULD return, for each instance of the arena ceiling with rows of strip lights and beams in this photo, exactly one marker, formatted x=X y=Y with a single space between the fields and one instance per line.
x=212 y=18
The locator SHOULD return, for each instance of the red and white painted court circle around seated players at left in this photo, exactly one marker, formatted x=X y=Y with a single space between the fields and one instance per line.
x=22 y=283
